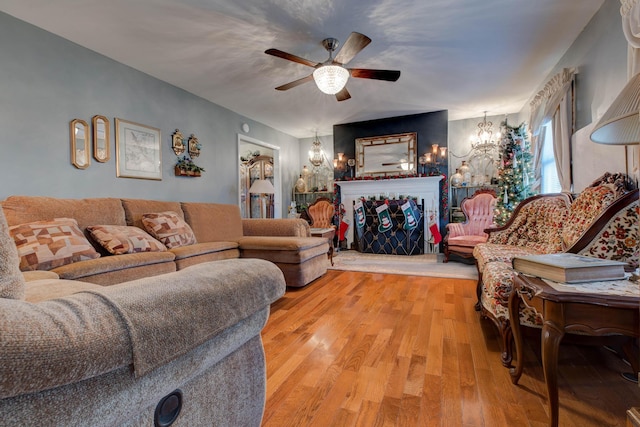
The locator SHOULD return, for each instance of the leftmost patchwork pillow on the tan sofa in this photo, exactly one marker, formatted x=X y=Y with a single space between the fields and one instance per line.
x=44 y=245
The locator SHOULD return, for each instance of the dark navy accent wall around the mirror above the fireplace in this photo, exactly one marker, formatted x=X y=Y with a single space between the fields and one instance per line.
x=430 y=127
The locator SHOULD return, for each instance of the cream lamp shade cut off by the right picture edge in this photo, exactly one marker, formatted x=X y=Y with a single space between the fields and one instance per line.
x=620 y=124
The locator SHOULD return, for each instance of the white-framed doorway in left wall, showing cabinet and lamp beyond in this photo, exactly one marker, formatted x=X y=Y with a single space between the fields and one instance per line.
x=258 y=160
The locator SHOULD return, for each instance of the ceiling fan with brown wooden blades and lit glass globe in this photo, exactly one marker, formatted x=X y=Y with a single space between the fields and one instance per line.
x=331 y=75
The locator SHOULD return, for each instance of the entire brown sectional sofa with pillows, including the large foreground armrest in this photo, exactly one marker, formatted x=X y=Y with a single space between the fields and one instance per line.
x=105 y=324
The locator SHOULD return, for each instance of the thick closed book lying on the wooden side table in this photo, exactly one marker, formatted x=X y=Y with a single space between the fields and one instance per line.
x=569 y=268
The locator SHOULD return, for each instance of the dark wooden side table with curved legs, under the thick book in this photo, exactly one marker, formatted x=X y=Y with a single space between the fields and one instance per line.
x=567 y=308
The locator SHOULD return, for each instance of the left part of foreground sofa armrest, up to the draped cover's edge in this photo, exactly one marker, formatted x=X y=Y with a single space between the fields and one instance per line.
x=58 y=342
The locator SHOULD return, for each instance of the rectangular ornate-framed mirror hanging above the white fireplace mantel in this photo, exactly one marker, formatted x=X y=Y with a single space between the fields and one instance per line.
x=384 y=155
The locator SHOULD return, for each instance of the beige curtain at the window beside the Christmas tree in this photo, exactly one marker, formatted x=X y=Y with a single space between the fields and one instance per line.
x=555 y=103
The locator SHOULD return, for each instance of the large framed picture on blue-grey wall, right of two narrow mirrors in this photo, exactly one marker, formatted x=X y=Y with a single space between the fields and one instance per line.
x=138 y=151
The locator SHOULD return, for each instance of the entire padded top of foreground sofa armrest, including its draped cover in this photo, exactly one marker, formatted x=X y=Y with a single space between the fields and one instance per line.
x=144 y=323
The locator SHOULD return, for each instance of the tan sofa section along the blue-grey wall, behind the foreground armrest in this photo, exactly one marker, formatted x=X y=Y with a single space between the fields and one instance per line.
x=192 y=232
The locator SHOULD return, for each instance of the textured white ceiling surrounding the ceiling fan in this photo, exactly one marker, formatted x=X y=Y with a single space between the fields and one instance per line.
x=465 y=56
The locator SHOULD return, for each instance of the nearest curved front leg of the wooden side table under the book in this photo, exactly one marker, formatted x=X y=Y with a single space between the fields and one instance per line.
x=552 y=333
